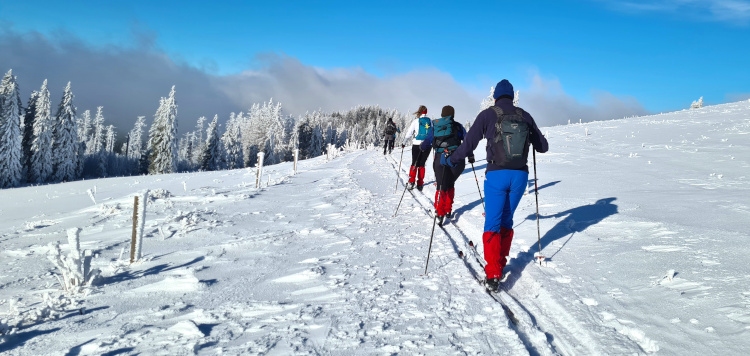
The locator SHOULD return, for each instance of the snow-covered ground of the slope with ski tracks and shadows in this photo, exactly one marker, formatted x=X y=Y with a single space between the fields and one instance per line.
x=644 y=226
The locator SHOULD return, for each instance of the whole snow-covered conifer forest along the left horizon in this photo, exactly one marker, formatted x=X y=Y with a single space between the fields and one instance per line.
x=39 y=145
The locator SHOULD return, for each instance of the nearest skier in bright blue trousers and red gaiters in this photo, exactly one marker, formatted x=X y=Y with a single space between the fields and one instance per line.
x=509 y=130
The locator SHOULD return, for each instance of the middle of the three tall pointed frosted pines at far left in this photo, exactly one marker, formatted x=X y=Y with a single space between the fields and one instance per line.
x=40 y=170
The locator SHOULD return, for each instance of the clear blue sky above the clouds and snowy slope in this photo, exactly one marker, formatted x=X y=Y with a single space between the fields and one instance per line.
x=659 y=54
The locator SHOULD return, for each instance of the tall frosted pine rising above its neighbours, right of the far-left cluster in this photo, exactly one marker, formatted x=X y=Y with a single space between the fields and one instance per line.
x=163 y=137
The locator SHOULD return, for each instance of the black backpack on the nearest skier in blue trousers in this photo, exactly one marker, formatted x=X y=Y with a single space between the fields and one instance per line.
x=512 y=133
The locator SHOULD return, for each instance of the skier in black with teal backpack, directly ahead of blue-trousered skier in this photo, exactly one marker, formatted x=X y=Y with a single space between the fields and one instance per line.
x=444 y=137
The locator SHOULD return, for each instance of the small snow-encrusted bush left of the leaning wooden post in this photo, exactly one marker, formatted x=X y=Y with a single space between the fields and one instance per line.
x=75 y=267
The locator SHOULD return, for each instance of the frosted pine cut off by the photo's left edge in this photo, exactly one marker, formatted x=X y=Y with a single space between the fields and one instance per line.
x=11 y=152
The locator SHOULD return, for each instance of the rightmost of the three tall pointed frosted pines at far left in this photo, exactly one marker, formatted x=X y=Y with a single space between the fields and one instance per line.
x=65 y=140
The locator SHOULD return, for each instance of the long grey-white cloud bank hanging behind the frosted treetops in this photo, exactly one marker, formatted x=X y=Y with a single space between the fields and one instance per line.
x=129 y=80
